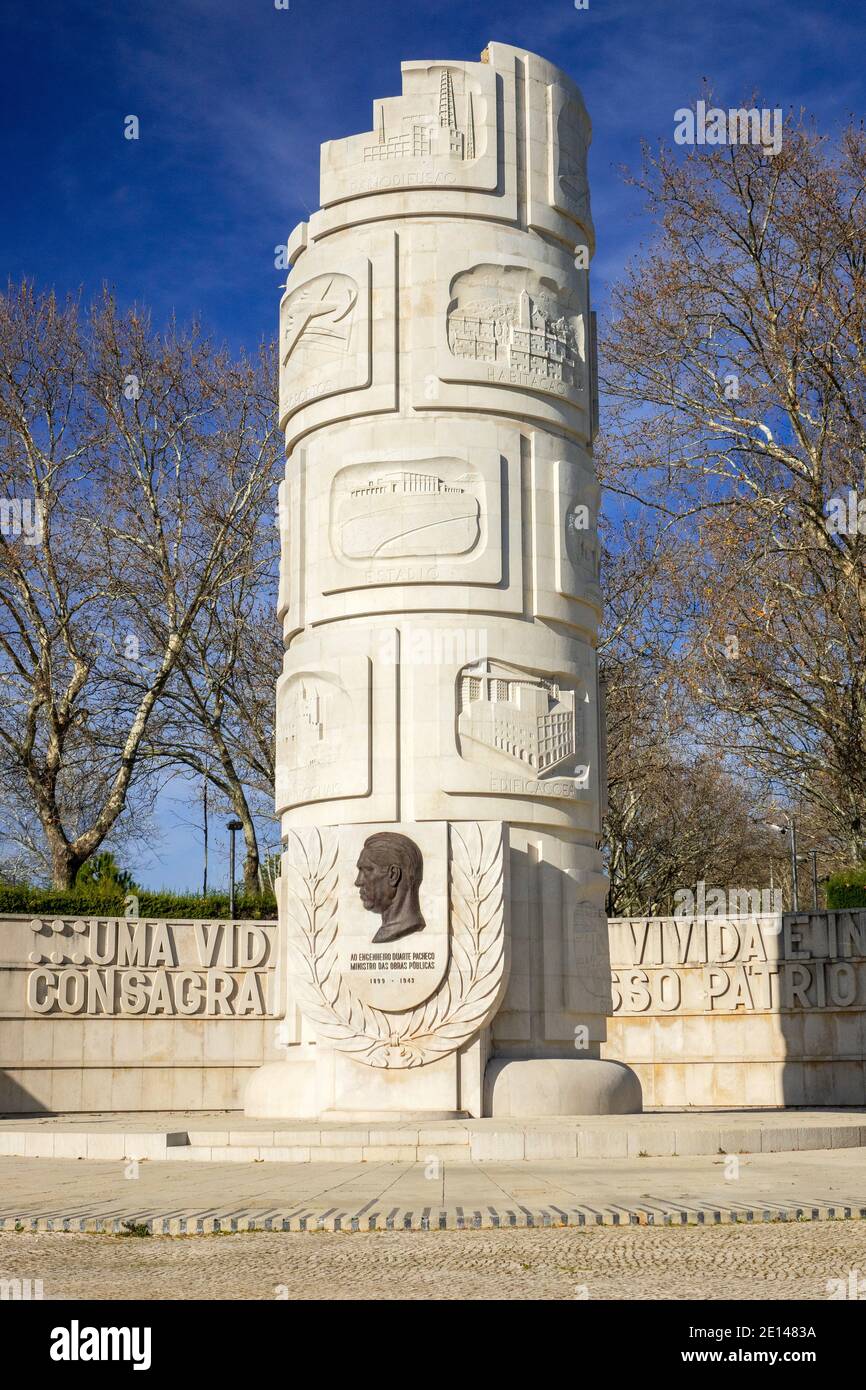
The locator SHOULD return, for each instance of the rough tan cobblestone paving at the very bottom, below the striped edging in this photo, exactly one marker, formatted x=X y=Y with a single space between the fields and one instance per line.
x=765 y=1263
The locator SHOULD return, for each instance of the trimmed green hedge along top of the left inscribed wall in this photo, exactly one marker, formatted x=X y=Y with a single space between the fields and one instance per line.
x=177 y=907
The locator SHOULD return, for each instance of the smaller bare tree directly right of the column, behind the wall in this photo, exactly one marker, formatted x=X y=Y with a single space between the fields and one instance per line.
x=673 y=815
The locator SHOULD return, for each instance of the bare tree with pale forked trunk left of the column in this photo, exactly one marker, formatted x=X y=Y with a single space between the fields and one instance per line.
x=141 y=464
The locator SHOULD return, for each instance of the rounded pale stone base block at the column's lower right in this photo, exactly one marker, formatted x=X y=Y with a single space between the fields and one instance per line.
x=536 y=1088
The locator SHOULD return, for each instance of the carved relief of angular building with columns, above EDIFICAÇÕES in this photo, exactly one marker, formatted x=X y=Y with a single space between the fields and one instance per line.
x=528 y=718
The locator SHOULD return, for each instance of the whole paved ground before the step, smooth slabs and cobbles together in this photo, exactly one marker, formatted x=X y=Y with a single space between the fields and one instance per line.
x=754 y=1227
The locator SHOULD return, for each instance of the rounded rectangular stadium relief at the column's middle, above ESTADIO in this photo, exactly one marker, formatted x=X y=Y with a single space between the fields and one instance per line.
x=429 y=508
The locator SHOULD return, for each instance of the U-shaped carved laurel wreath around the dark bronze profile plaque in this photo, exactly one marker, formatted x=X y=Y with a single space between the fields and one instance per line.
x=477 y=967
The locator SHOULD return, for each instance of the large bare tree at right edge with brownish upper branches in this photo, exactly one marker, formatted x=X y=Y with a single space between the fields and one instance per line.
x=736 y=382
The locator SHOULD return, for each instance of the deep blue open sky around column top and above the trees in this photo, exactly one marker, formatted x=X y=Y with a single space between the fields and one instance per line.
x=236 y=97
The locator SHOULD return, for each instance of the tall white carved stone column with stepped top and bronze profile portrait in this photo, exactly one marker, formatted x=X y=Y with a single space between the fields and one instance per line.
x=440 y=758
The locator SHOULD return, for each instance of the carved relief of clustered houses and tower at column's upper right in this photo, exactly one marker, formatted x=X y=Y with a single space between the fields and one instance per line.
x=522 y=322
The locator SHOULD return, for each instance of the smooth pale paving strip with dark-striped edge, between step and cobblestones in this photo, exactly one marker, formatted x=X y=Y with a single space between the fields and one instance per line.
x=188 y=1199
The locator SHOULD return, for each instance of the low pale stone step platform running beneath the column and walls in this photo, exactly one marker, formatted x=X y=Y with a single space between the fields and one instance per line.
x=229 y=1138
